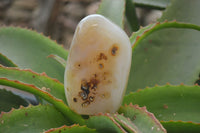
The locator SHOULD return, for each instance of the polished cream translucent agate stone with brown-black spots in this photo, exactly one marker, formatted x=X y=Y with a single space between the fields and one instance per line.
x=98 y=66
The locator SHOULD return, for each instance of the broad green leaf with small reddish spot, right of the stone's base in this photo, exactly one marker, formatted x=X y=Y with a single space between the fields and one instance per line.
x=169 y=102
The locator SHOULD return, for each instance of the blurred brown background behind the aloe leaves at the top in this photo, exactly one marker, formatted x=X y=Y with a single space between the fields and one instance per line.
x=58 y=18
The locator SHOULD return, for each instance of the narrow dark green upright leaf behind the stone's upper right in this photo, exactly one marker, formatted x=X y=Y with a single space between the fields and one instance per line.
x=131 y=15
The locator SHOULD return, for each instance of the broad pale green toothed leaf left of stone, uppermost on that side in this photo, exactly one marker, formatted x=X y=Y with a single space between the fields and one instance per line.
x=28 y=49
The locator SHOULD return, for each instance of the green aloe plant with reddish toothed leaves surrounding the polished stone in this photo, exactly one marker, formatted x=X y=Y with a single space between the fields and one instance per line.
x=164 y=58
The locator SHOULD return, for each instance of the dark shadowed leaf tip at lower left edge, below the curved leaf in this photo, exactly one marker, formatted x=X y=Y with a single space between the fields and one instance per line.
x=9 y=100
